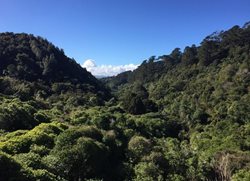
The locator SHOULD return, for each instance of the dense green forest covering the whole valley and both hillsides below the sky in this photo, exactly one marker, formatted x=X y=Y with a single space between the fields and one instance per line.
x=183 y=116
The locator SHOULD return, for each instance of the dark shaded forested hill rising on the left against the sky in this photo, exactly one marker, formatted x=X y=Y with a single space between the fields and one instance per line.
x=25 y=56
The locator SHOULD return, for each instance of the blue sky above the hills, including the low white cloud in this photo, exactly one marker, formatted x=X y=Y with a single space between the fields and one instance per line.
x=110 y=36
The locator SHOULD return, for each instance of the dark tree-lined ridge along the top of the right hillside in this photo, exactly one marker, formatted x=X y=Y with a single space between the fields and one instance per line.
x=214 y=50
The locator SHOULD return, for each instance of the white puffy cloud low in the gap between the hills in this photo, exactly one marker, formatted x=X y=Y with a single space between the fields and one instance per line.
x=106 y=70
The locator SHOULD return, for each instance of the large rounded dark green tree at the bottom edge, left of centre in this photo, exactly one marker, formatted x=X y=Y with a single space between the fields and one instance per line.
x=84 y=159
